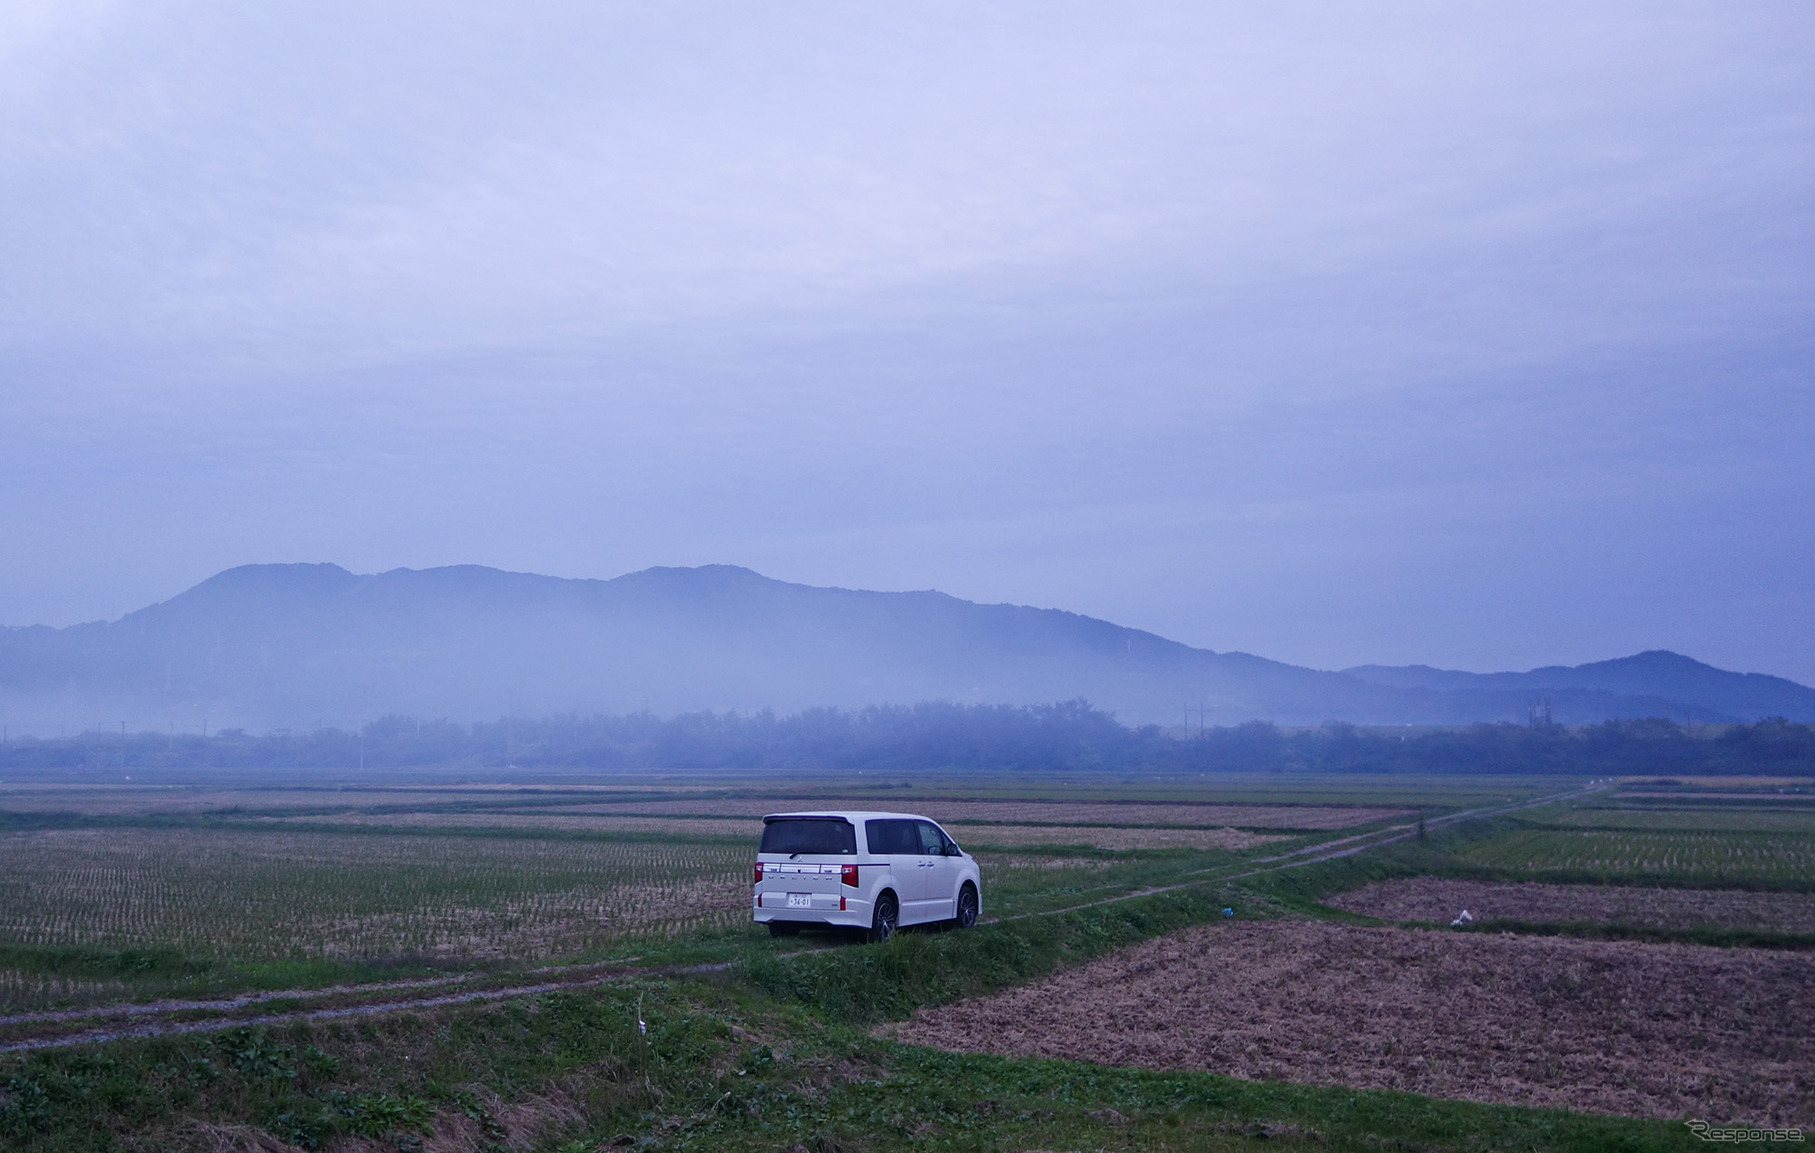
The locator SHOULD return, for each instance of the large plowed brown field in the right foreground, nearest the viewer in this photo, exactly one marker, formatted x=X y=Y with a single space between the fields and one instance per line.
x=1645 y=1030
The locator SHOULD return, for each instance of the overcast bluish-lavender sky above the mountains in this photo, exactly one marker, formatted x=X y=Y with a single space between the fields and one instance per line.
x=1467 y=335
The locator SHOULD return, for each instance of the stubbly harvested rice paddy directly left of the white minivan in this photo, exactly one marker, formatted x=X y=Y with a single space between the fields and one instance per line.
x=302 y=896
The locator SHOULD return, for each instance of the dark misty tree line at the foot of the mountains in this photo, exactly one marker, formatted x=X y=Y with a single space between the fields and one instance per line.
x=934 y=736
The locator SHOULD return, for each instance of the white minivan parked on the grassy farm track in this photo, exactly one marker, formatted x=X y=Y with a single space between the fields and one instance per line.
x=863 y=871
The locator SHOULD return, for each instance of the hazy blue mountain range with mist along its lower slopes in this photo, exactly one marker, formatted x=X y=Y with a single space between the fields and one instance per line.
x=304 y=645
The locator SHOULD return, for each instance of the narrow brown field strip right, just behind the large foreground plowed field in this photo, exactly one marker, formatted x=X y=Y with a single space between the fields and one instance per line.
x=1433 y=900
